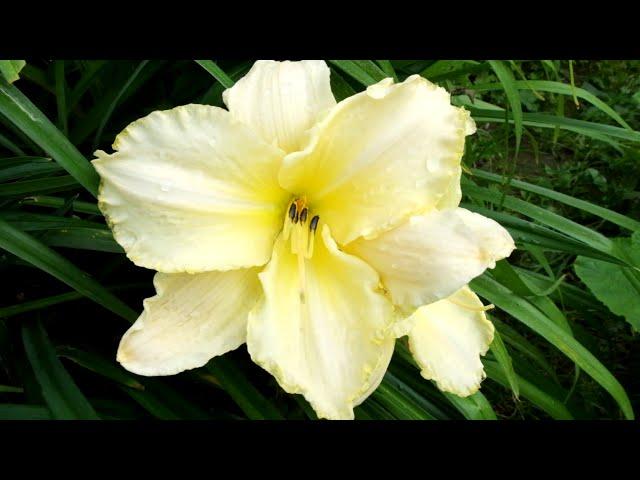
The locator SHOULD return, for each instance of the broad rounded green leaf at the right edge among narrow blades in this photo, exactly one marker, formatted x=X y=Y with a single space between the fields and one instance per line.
x=616 y=286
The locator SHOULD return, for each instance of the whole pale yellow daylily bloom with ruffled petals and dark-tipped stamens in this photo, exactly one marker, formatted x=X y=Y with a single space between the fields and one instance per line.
x=315 y=232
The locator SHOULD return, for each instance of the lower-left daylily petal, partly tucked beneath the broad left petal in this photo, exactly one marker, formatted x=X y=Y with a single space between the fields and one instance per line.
x=191 y=319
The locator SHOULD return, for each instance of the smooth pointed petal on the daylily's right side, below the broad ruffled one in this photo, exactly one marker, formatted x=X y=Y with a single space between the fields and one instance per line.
x=431 y=256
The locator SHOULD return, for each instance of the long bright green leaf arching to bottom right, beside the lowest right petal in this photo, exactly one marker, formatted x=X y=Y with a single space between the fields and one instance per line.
x=524 y=311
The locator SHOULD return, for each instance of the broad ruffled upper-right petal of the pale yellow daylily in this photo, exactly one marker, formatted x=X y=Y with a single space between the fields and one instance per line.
x=379 y=156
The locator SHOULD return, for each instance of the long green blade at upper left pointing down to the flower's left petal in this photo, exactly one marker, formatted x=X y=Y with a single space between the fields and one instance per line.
x=33 y=123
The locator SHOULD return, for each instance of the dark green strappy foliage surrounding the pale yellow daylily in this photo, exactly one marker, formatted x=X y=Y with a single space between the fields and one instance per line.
x=555 y=160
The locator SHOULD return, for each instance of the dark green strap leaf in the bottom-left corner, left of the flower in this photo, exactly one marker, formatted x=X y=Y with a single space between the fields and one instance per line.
x=63 y=397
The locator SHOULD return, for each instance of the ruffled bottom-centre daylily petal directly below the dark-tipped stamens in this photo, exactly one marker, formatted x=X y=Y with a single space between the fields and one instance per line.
x=326 y=340
